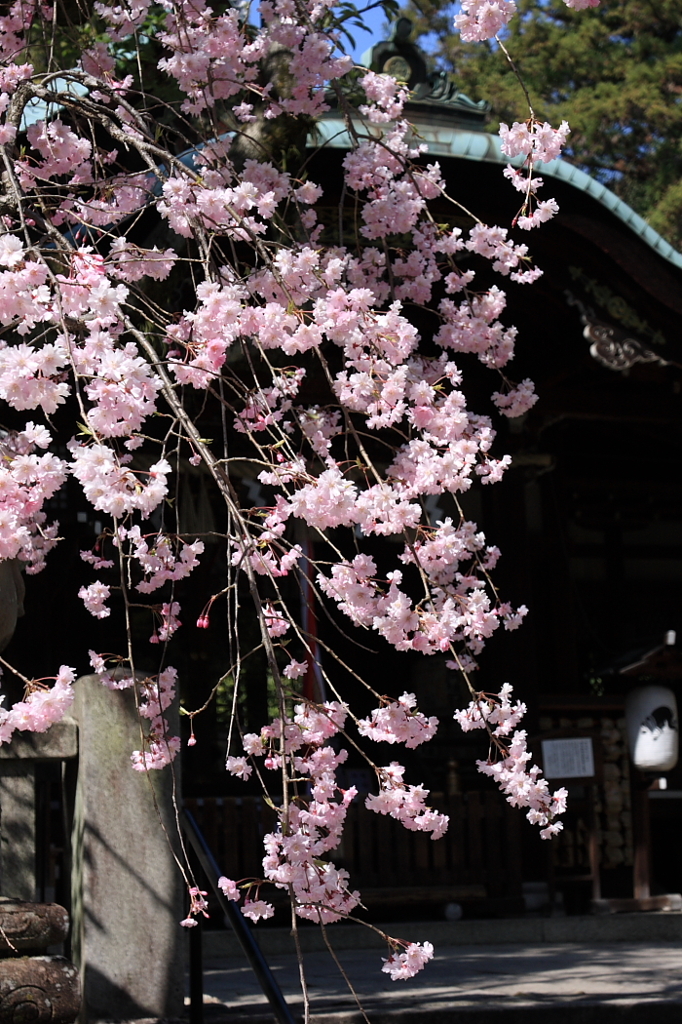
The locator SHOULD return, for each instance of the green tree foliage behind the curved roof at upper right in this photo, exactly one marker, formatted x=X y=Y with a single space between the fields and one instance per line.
x=615 y=73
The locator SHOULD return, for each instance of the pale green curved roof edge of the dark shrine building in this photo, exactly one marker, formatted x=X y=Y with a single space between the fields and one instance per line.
x=480 y=146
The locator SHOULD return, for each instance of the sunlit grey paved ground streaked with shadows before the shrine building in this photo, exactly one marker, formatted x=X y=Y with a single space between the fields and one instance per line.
x=638 y=983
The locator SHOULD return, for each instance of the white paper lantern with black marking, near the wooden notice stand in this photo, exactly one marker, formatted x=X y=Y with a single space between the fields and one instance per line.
x=653 y=729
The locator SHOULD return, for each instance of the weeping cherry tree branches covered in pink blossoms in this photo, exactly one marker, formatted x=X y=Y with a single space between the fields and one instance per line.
x=185 y=116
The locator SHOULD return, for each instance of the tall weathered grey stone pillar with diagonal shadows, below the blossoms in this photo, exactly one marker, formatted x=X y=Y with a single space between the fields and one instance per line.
x=127 y=897
